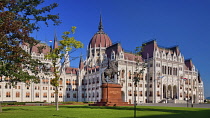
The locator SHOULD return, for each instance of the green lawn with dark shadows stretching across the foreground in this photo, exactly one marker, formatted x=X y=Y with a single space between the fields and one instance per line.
x=84 y=111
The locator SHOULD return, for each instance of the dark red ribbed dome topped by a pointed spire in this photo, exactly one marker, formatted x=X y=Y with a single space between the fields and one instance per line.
x=100 y=39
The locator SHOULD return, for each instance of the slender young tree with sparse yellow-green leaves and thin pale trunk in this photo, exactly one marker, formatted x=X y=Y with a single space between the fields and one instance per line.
x=58 y=54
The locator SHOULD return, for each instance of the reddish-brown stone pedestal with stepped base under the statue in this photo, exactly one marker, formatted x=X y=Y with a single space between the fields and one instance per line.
x=111 y=96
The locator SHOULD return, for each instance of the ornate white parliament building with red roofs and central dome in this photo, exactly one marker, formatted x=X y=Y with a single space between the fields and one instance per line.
x=167 y=78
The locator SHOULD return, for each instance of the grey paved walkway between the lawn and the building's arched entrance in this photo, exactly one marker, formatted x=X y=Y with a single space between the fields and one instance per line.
x=176 y=105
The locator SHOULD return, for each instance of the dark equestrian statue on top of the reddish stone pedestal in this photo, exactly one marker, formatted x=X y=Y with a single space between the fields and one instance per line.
x=110 y=72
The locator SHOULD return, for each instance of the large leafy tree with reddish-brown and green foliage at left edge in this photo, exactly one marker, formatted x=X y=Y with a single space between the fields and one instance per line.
x=19 y=18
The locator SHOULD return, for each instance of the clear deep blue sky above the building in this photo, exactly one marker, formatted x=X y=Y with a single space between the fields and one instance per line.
x=185 y=23
